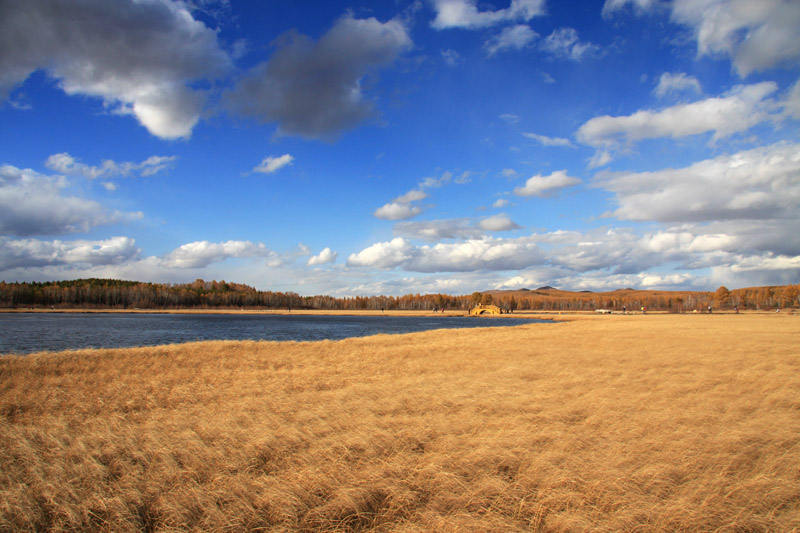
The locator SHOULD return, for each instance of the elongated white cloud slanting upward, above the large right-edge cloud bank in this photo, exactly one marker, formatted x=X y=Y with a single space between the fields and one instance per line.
x=737 y=111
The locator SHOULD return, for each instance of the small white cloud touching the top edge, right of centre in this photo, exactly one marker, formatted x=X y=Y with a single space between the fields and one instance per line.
x=465 y=13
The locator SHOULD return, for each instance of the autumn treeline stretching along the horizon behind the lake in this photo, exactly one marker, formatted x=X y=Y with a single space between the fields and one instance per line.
x=119 y=294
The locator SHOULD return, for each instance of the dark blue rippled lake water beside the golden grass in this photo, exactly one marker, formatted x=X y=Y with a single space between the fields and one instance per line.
x=31 y=332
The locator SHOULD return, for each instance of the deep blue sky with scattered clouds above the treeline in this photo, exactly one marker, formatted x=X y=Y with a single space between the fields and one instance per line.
x=357 y=148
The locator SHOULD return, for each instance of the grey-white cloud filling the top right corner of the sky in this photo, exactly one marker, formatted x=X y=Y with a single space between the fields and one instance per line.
x=755 y=35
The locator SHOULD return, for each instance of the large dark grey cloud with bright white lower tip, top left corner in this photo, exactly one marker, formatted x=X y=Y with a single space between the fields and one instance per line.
x=139 y=57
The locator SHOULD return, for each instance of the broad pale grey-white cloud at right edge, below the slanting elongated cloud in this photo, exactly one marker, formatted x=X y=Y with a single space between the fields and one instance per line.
x=762 y=183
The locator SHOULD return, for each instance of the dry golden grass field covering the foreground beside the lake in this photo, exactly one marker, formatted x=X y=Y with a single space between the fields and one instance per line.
x=613 y=423
